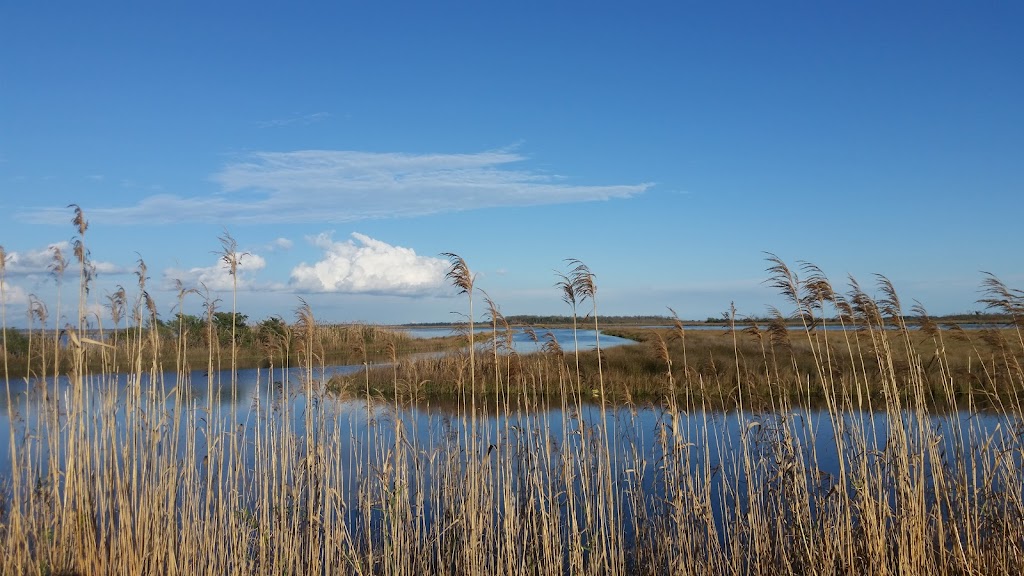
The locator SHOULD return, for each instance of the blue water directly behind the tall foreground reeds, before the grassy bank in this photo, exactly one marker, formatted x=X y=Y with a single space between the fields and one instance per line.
x=635 y=435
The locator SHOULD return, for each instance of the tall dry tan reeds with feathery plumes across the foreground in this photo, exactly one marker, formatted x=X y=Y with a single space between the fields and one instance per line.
x=511 y=479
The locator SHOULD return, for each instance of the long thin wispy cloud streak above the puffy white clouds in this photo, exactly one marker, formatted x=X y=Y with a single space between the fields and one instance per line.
x=326 y=186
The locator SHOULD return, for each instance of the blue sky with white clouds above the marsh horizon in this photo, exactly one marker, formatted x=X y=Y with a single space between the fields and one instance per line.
x=346 y=146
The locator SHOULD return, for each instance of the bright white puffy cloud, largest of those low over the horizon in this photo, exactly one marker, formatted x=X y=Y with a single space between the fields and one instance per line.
x=363 y=265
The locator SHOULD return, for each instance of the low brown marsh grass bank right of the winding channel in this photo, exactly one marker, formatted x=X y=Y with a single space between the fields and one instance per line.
x=706 y=363
